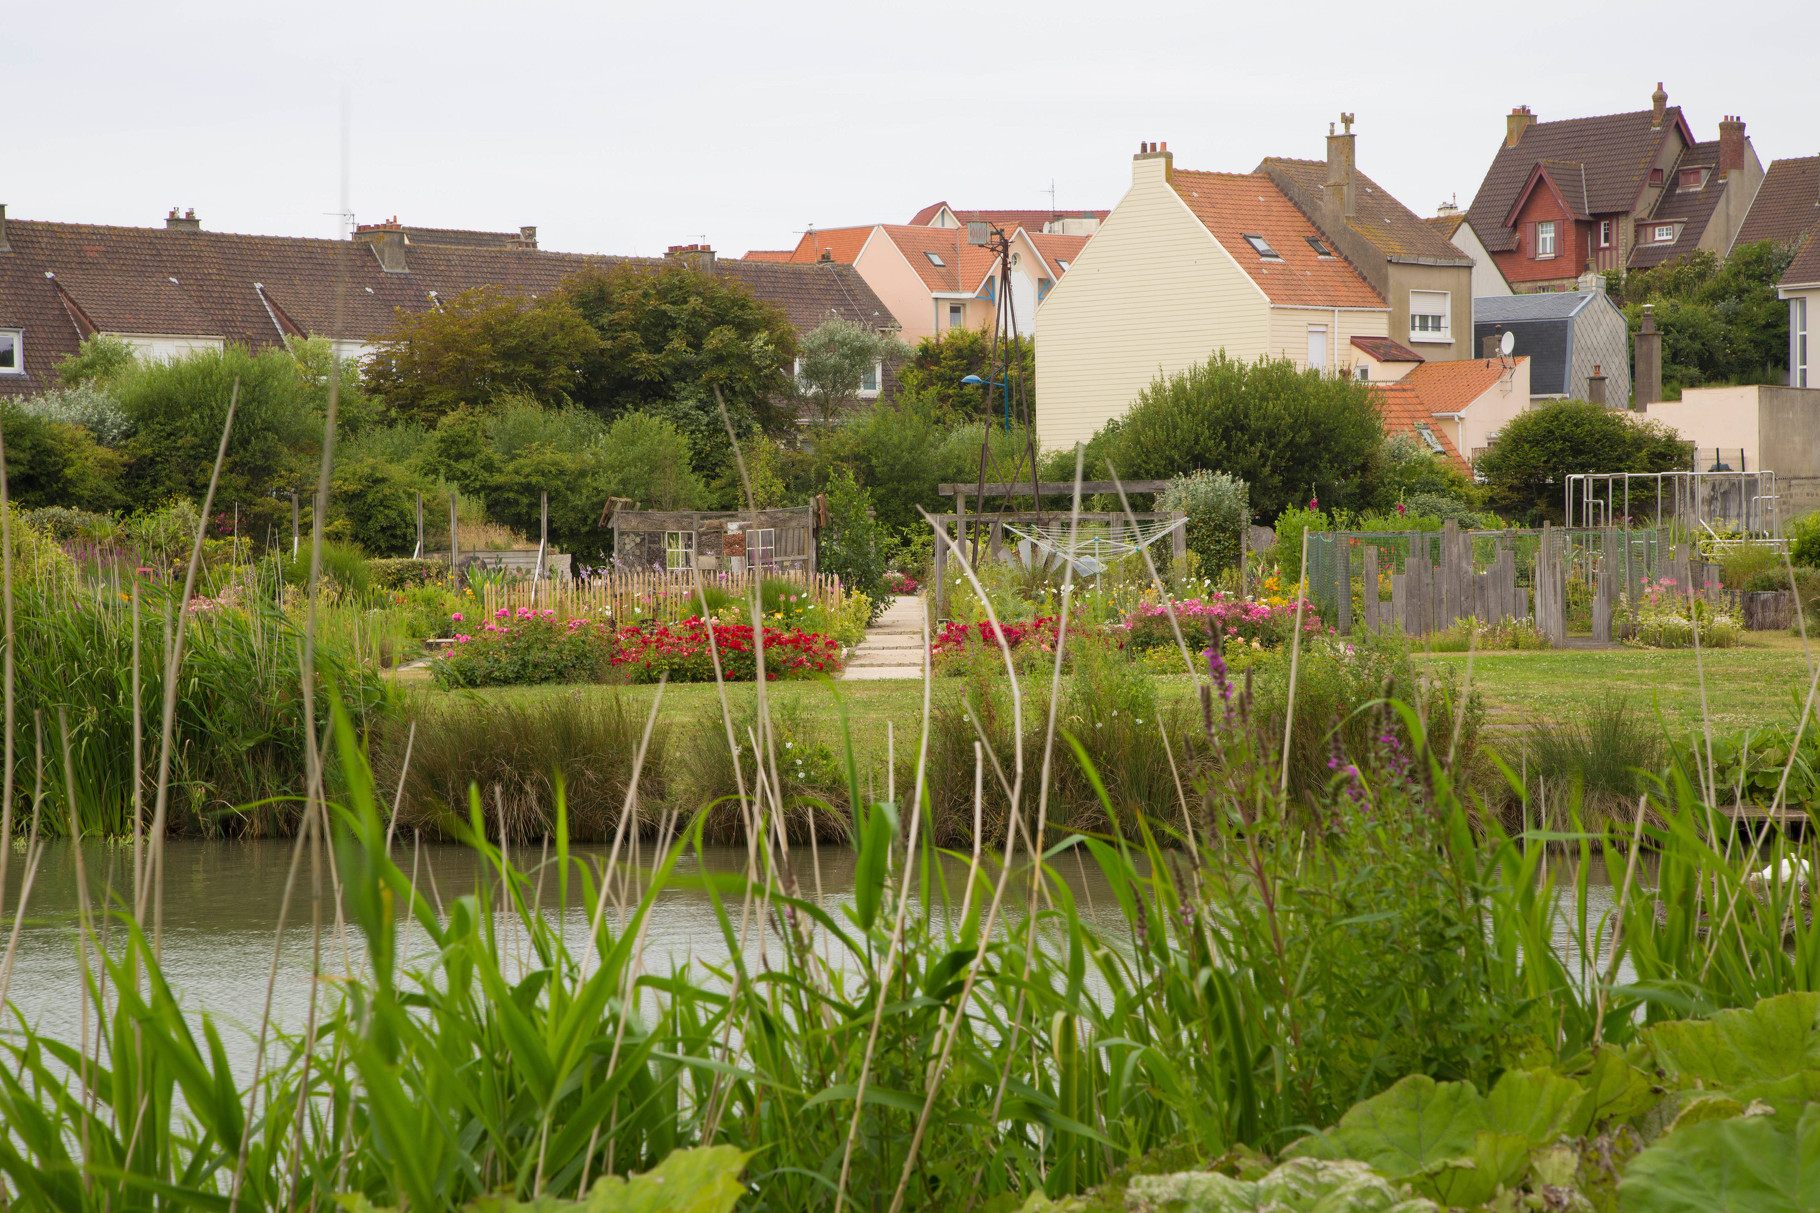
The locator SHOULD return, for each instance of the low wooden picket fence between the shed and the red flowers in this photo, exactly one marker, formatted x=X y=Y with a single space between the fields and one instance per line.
x=640 y=596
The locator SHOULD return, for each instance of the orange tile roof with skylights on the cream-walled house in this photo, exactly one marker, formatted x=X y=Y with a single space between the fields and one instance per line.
x=1237 y=205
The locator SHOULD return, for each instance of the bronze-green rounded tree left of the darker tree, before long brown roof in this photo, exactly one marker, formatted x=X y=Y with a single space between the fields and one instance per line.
x=478 y=349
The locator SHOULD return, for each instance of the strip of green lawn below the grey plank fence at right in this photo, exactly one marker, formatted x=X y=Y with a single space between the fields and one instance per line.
x=1748 y=686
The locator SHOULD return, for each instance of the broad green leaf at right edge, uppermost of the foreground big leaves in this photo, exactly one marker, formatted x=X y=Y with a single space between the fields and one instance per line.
x=1775 y=1039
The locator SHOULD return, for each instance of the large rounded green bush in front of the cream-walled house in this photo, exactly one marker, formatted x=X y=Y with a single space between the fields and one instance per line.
x=1288 y=434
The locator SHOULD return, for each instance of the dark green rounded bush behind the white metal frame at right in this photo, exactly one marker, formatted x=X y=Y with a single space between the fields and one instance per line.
x=1528 y=467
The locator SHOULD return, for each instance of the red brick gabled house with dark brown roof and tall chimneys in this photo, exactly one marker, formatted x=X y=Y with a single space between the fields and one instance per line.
x=1613 y=192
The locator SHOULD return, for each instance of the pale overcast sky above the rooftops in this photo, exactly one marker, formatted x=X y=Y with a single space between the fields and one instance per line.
x=623 y=128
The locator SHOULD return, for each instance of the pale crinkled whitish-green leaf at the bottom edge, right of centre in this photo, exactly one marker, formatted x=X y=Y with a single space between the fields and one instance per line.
x=1299 y=1187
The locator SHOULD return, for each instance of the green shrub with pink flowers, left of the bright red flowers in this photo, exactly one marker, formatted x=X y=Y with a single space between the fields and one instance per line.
x=525 y=647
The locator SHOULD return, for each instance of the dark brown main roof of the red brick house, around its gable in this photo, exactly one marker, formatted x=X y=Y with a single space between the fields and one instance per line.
x=1617 y=152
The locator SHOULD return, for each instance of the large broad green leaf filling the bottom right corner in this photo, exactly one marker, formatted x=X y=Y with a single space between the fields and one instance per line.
x=1744 y=1165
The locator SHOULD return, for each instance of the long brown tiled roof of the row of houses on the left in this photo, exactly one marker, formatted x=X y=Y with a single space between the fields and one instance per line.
x=66 y=281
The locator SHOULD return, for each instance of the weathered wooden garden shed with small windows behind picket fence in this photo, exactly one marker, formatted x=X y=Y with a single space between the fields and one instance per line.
x=716 y=540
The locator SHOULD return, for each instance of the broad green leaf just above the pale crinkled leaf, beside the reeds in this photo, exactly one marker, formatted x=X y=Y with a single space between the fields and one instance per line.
x=1404 y=1130
